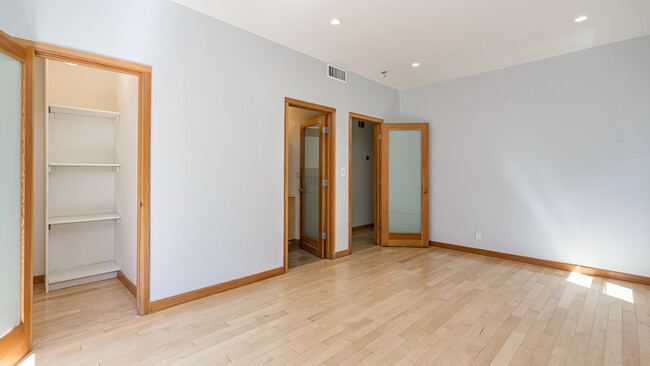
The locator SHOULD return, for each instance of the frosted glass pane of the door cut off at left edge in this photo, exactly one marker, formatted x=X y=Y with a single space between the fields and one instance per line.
x=11 y=75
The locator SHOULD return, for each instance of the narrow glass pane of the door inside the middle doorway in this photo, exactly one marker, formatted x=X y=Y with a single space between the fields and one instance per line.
x=311 y=187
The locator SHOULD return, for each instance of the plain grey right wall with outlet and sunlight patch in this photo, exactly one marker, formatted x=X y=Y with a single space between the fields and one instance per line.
x=549 y=159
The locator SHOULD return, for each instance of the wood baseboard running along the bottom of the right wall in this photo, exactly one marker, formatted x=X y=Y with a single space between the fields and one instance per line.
x=547 y=263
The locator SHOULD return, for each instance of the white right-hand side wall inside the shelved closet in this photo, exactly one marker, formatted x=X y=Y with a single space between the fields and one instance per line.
x=126 y=188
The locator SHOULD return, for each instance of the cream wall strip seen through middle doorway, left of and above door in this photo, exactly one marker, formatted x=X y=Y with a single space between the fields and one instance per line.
x=294 y=117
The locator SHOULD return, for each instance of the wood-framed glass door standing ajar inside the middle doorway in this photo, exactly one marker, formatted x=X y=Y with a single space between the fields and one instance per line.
x=313 y=195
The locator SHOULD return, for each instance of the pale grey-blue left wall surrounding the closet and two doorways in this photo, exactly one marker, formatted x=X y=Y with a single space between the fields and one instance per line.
x=210 y=91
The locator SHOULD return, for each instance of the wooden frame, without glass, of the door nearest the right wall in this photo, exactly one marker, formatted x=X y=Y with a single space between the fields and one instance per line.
x=405 y=239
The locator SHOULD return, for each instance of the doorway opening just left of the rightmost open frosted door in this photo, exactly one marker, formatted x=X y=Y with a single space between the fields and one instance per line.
x=364 y=183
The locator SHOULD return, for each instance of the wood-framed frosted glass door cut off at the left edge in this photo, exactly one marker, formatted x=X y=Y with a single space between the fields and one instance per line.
x=16 y=161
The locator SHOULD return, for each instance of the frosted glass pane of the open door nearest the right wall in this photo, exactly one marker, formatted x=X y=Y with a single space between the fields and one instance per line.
x=405 y=181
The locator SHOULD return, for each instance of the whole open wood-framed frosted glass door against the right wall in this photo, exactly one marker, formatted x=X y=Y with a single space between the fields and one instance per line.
x=405 y=184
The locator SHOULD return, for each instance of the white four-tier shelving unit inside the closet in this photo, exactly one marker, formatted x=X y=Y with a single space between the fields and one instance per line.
x=80 y=196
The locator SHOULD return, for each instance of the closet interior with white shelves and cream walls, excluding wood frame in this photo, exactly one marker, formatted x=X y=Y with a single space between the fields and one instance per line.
x=86 y=126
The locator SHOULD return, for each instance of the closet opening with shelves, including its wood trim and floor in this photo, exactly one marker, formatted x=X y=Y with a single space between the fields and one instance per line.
x=91 y=184
